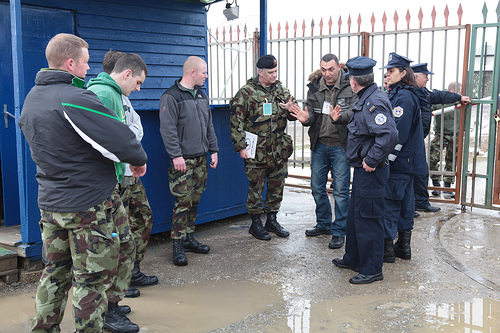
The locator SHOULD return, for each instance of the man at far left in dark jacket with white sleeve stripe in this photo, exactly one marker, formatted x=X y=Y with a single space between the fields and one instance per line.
x=73 y=141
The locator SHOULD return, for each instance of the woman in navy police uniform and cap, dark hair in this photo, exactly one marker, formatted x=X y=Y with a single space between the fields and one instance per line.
x=407 y=161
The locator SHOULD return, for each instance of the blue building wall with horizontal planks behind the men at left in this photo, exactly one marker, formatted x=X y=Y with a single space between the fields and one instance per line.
x=164 y=33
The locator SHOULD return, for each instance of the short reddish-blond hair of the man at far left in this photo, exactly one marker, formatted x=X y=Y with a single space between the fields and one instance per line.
x=63 y=47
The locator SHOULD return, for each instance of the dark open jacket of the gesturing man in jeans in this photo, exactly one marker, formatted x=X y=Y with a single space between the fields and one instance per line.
x=344 y=97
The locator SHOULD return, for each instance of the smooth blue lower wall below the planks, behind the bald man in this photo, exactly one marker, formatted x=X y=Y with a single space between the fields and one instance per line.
x=227 y=185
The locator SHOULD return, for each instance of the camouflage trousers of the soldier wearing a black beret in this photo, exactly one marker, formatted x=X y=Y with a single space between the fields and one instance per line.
x=257 y=177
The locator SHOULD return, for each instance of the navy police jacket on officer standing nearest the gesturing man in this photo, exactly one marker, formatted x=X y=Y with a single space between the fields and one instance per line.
x=372 y=129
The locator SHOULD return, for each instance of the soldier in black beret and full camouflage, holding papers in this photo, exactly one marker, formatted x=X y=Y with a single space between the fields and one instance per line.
x=262 y=107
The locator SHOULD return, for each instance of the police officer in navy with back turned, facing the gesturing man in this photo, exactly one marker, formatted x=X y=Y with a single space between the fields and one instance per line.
x=372 y=137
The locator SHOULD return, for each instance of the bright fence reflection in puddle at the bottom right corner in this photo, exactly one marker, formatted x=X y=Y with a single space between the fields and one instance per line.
x=476 y=316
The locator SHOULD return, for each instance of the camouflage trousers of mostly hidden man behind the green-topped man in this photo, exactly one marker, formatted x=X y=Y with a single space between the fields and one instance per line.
x=140 y=215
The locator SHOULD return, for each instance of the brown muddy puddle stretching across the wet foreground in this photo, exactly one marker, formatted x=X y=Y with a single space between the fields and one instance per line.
x=245 y=306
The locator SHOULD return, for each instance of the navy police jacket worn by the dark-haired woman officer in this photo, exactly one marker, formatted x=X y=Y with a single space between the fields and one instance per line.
x=409 y=155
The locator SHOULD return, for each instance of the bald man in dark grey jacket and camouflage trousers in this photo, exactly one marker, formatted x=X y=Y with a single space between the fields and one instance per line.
x=188 y=135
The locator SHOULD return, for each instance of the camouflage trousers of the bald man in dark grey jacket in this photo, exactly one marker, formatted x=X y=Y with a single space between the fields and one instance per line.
x=187 y=187
